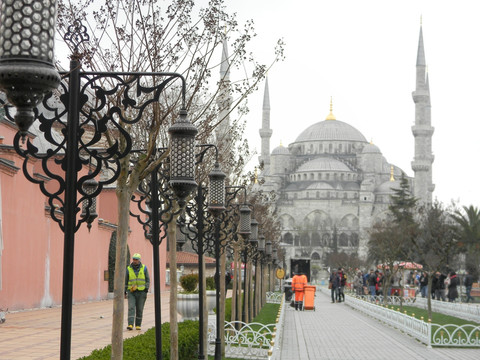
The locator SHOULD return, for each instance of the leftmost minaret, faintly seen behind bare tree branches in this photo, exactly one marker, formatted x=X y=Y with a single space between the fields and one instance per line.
x=224 y=99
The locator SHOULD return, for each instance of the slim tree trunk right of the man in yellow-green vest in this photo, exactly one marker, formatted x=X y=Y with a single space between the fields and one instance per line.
x=172 y=242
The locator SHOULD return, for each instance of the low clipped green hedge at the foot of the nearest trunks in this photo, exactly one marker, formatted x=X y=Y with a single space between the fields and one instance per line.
x=143 y=346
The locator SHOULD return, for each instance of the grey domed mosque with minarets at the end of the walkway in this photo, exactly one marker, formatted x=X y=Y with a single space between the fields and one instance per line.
x=332 y=185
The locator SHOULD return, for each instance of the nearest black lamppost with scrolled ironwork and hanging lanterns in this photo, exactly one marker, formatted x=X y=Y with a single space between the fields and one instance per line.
x=74 y=122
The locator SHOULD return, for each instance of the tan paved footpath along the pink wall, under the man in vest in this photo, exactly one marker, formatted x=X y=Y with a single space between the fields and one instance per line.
x=35 y=334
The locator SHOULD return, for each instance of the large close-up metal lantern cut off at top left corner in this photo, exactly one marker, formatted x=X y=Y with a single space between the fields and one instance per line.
x=27 y=72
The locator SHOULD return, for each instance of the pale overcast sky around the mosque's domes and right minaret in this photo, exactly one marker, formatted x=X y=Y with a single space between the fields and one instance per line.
x=363 y=54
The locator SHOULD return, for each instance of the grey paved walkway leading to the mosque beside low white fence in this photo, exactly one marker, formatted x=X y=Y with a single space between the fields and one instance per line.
x=337 y=332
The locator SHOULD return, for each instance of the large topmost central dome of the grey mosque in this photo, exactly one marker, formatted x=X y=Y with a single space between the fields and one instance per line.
x=331 y=130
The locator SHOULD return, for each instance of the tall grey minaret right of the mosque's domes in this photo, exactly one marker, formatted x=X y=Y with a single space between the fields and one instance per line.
x=422 y=132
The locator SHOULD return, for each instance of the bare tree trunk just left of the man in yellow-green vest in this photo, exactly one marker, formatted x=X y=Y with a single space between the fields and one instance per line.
x=123 y=198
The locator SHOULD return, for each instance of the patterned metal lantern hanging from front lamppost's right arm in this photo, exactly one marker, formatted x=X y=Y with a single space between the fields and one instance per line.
x=182 y=157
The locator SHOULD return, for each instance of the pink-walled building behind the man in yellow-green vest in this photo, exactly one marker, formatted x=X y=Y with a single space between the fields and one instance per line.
x=31 y=243
